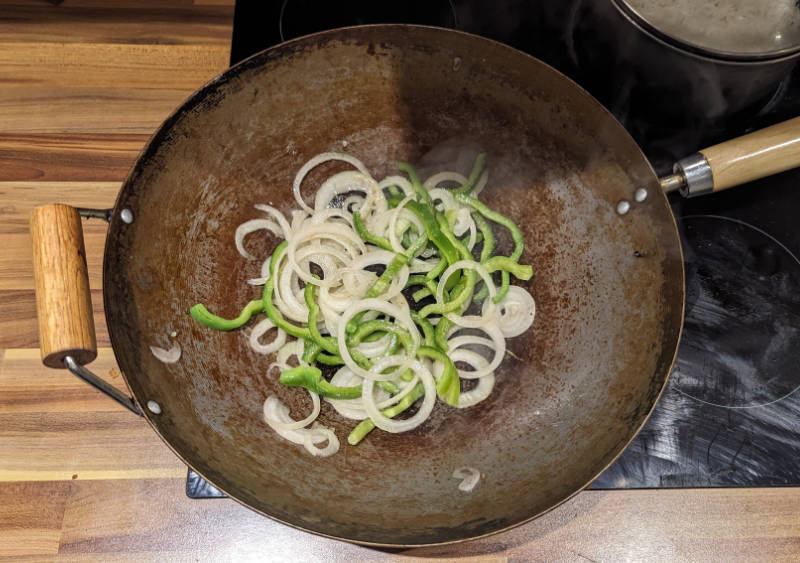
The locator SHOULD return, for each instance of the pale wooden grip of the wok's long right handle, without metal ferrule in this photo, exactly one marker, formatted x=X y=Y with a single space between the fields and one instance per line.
x=756 y=155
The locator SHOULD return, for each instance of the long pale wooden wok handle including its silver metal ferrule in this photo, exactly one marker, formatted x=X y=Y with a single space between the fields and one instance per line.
x=738 y=161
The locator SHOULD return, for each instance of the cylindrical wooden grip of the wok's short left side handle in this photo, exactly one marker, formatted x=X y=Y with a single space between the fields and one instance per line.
x=63 y=301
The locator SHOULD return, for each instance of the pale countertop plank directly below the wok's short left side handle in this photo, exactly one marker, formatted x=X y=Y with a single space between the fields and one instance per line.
x=55 y=427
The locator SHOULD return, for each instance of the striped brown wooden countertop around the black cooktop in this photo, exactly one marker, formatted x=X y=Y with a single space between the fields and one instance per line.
x=82 y=85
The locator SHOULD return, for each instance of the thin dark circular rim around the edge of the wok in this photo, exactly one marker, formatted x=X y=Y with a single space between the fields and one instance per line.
x=157 y=137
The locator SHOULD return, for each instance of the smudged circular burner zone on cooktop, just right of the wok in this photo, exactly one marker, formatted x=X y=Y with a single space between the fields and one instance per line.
x=752 y=264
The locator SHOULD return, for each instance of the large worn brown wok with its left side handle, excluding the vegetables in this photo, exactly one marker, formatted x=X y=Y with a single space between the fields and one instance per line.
x=580 y=383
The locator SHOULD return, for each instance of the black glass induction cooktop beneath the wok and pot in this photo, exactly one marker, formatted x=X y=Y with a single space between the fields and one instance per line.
x=730 y=414
